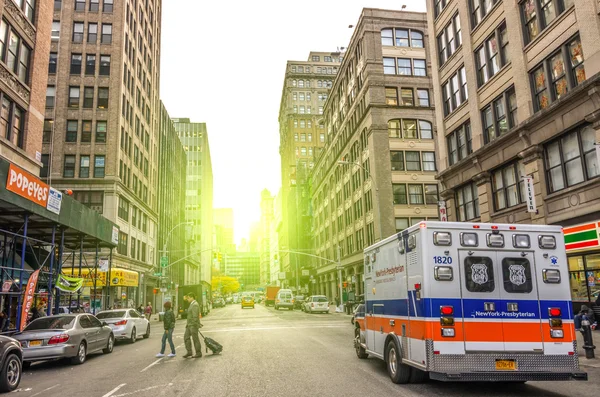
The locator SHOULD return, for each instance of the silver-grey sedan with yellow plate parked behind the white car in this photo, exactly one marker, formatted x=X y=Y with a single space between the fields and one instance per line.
x=71 y=336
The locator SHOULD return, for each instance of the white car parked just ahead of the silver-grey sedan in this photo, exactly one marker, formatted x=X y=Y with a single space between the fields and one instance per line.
x=126 y=323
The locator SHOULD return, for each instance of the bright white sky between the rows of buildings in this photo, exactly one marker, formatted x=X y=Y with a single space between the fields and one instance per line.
x=223 y=63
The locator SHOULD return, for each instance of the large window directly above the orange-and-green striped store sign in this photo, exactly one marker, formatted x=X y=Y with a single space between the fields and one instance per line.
x=571 y=159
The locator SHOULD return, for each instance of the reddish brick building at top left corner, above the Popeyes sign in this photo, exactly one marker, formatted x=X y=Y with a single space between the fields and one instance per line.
x=23 y=77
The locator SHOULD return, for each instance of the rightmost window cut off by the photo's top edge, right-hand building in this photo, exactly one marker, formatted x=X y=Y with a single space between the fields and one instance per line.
x=538 y=14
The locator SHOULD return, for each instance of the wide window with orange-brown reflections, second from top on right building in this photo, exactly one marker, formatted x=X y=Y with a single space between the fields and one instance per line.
x=559 y=73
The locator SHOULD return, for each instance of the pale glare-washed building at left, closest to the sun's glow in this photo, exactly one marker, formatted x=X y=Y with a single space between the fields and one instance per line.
x=199 y=201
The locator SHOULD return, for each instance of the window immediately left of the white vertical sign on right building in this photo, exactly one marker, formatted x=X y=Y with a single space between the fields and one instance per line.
x=508 y=187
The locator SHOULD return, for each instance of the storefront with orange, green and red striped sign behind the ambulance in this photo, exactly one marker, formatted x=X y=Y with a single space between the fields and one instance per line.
x=583 y=251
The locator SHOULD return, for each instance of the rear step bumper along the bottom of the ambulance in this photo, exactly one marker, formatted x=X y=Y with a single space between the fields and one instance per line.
x=507 y=376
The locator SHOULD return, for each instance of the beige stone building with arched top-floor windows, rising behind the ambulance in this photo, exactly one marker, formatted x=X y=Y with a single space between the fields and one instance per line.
x=376 y=173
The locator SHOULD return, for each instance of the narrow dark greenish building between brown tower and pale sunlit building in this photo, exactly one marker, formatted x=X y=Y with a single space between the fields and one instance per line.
x=172 y=225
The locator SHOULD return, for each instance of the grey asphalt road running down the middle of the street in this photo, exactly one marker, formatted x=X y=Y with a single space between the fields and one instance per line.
x=266 y=353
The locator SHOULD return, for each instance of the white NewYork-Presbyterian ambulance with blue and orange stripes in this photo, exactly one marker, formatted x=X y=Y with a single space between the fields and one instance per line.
x=460 y=301
